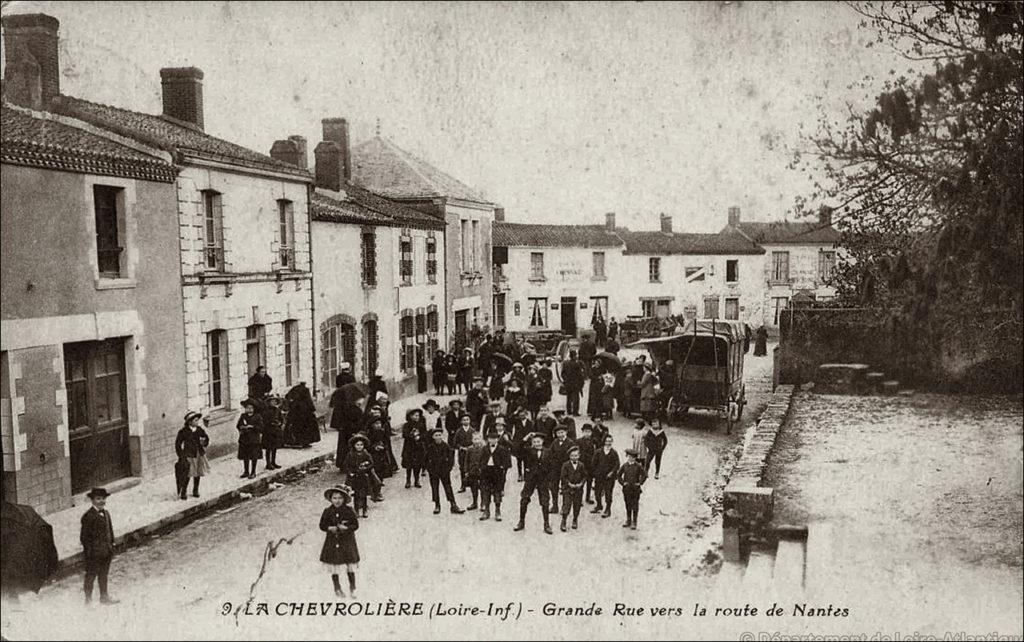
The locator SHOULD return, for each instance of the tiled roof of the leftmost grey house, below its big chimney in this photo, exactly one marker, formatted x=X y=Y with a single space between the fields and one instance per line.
x=33 y=142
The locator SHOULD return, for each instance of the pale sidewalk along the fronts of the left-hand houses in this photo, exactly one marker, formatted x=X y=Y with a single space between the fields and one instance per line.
x=146 y=508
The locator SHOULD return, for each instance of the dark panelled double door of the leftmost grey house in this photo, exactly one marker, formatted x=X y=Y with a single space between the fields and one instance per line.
x=98 y=413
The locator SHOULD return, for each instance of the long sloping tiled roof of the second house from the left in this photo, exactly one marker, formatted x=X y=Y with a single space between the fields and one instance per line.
x=173 y=136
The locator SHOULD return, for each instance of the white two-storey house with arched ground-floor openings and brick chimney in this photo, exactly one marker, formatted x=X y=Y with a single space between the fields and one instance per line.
x=379 y=279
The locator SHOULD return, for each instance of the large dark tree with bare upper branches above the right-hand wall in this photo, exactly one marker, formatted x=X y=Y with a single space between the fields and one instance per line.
x=927 y=184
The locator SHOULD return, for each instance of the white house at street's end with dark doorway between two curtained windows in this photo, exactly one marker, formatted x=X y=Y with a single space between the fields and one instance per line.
x=557 y=277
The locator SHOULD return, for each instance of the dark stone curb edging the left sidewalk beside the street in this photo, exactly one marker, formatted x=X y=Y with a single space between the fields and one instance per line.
x=71 y=565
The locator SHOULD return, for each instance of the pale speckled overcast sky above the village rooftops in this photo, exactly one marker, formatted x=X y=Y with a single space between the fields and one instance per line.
x=559 y=112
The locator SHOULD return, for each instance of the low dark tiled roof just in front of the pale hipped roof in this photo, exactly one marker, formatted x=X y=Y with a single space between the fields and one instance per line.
x=361 y=207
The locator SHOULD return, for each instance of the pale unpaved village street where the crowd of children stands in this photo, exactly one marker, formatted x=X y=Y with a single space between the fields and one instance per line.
x=179 y=585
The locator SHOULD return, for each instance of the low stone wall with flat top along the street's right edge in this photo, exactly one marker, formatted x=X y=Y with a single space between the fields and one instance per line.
x=747 y=504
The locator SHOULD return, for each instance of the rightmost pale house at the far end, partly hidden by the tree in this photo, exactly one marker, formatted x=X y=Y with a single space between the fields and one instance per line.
x=800 y=259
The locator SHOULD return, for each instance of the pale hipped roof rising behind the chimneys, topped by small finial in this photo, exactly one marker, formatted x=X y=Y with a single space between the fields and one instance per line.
x=385 y=168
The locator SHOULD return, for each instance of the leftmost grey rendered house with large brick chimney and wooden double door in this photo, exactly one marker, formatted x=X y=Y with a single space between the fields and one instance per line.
x=92 y=359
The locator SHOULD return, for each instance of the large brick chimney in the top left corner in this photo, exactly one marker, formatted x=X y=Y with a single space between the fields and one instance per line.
x=33 y=37
